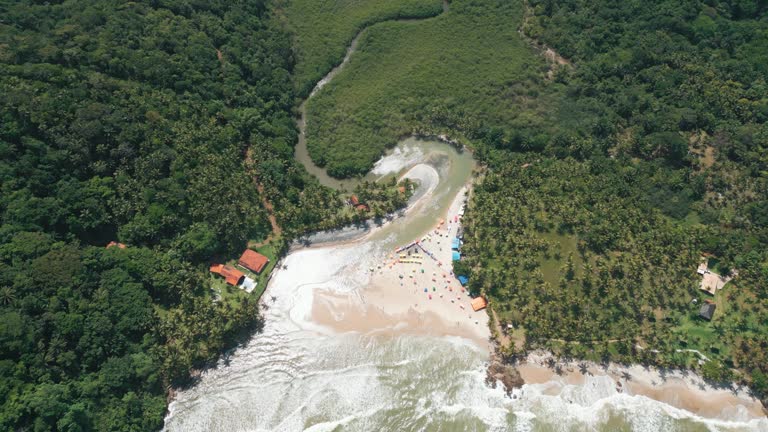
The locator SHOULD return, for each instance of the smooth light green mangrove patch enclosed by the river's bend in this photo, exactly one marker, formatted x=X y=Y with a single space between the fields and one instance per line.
x=460 y=70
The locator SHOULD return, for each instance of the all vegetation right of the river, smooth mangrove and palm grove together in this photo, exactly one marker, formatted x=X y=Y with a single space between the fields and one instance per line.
x=609 y=174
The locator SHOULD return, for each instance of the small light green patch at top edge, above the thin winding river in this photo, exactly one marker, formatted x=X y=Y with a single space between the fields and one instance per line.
x=323 y=29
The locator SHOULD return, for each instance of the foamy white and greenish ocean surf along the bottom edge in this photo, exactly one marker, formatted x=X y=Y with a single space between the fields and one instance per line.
x=290 y=379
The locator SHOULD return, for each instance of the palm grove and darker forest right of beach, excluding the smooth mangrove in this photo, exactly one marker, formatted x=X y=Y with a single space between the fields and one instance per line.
x=589 y=247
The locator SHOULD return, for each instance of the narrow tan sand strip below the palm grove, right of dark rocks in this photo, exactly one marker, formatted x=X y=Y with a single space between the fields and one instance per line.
x=680 y=389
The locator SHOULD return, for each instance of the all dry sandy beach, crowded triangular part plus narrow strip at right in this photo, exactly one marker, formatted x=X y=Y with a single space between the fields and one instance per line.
x=394 y=301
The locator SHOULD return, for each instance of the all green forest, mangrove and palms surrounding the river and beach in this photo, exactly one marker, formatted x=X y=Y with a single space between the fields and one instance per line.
x=169 y=126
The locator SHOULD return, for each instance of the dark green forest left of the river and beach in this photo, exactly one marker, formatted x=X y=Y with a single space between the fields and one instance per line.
x=165 y=130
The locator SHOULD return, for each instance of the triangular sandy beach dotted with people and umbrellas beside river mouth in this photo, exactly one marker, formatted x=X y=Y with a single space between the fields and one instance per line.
x=410 y=292
